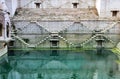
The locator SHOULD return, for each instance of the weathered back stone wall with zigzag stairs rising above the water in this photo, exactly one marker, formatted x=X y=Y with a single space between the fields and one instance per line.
x=65 y=23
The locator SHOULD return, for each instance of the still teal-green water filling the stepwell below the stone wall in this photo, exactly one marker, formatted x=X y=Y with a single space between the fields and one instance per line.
x=59 y=64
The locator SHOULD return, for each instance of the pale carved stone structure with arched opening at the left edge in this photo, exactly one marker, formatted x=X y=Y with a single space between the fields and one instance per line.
x=4 y=27
